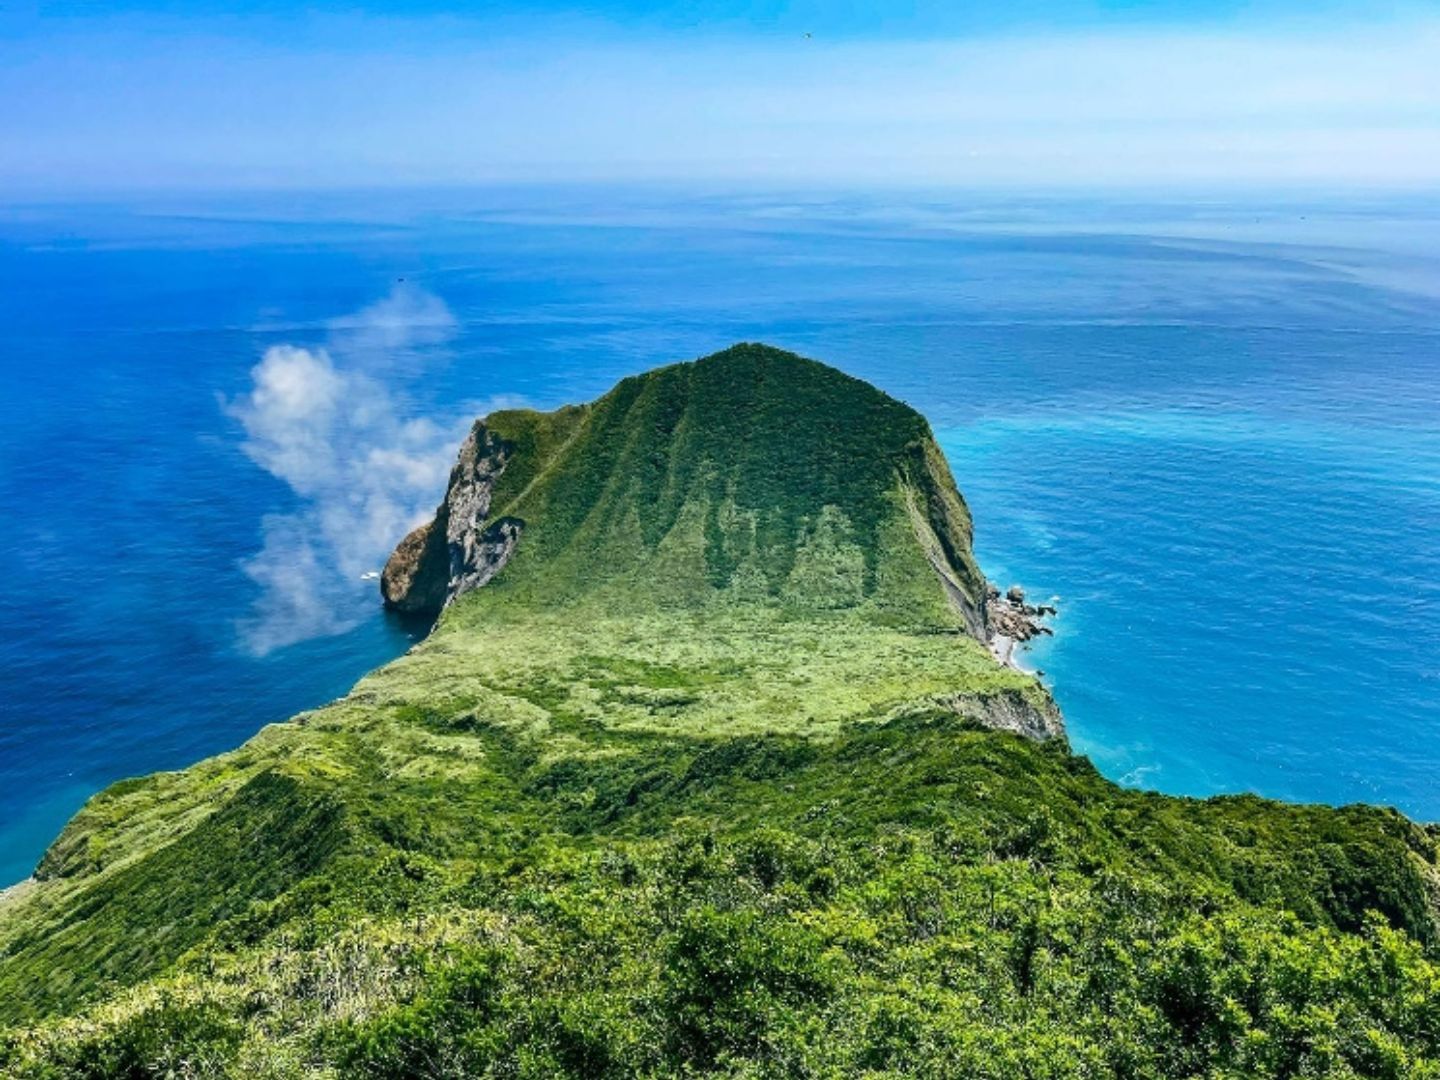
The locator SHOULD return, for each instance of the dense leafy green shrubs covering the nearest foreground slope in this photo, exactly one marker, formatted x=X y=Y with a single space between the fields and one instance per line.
x=919 y=898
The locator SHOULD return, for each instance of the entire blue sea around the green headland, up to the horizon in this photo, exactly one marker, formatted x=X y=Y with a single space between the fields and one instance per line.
x=1209 y=426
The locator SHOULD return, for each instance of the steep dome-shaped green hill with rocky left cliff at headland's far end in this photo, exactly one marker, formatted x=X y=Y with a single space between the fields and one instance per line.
x=750 y=477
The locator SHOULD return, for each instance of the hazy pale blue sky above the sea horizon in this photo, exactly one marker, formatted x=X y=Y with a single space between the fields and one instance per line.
x=130 y=96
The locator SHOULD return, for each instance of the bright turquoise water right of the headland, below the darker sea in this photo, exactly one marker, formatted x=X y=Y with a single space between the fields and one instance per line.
x=1245 y=600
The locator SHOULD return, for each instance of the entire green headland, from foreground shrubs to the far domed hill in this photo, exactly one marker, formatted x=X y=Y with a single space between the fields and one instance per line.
x=702 y=783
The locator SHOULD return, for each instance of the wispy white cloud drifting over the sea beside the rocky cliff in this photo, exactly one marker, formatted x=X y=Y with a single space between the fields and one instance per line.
x=332 y=430
